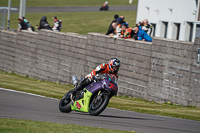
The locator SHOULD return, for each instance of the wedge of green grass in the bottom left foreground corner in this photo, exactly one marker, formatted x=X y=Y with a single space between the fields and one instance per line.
x=28 y=126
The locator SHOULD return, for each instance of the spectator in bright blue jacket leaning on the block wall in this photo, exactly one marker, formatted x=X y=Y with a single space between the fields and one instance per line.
x=142 y=35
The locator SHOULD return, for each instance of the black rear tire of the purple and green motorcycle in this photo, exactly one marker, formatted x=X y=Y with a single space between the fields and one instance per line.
x=65 y=104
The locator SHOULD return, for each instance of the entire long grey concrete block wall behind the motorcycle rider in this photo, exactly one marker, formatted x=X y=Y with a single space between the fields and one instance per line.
x=161 y=71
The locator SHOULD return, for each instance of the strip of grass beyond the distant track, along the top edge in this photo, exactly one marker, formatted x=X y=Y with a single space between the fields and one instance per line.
x=51 y=3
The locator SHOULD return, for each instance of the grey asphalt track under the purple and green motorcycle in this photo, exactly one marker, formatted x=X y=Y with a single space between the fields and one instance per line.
x=21 y=105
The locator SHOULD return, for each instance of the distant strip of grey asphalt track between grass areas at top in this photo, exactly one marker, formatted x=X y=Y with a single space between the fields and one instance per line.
x=76 y=9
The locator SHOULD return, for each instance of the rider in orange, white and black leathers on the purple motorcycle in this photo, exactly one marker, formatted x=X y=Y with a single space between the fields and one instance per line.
x=111 y=68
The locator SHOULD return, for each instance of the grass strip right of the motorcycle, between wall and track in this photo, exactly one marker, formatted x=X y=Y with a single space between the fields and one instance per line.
x=166 y=109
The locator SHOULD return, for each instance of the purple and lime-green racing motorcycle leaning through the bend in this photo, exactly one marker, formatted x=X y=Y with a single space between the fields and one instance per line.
x=93 y=99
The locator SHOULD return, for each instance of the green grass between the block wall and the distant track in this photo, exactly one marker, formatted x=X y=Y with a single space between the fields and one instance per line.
x=78 y=22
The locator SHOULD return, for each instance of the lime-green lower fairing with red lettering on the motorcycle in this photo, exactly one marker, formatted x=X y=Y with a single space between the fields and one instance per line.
x=82 y=104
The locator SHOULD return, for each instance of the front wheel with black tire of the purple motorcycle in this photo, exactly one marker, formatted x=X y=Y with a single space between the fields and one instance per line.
x=98 y=104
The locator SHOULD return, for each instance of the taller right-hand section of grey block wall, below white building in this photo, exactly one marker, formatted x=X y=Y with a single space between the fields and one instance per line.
x=174 y=72
